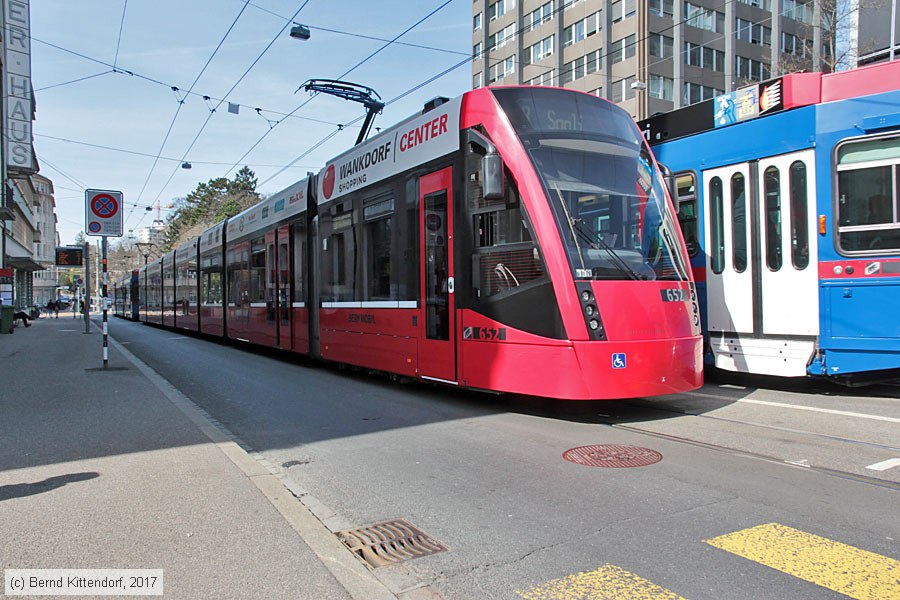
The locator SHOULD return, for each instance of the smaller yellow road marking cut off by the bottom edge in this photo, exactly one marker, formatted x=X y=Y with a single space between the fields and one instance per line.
x=609 y=582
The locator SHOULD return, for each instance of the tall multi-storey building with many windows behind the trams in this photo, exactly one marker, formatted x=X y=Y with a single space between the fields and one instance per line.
x=648 y=56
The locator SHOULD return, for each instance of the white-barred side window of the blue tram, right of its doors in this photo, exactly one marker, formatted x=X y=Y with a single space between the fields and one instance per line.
x=868 y=195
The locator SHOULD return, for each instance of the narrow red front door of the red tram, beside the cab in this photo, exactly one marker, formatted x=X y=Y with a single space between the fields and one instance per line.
x=437 y=337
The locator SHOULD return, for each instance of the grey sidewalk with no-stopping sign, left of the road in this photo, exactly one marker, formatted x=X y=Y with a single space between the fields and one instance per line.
x=109 y=469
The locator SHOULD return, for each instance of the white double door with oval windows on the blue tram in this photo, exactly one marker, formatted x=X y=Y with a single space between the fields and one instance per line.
x=762 y=282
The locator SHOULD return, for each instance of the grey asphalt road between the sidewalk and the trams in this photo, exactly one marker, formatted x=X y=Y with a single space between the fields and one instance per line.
x=753 y=473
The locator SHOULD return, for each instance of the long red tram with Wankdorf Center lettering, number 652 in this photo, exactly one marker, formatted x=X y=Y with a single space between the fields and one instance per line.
x=515 y=239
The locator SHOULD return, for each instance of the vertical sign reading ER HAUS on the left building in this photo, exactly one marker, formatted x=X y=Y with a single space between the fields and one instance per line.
x=19 y=94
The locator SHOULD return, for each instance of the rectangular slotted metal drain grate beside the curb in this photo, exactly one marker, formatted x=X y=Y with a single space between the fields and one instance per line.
x=390 y=542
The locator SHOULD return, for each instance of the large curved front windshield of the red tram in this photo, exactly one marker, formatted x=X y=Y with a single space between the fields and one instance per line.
x=601 y=182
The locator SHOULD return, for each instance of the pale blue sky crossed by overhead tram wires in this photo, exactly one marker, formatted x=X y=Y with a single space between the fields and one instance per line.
x=106 y=130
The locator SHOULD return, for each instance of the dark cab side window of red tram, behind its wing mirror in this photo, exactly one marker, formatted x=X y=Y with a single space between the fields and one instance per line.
x=505 y=256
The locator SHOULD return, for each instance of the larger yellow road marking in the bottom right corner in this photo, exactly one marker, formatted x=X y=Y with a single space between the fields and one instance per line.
x=847 y=570
